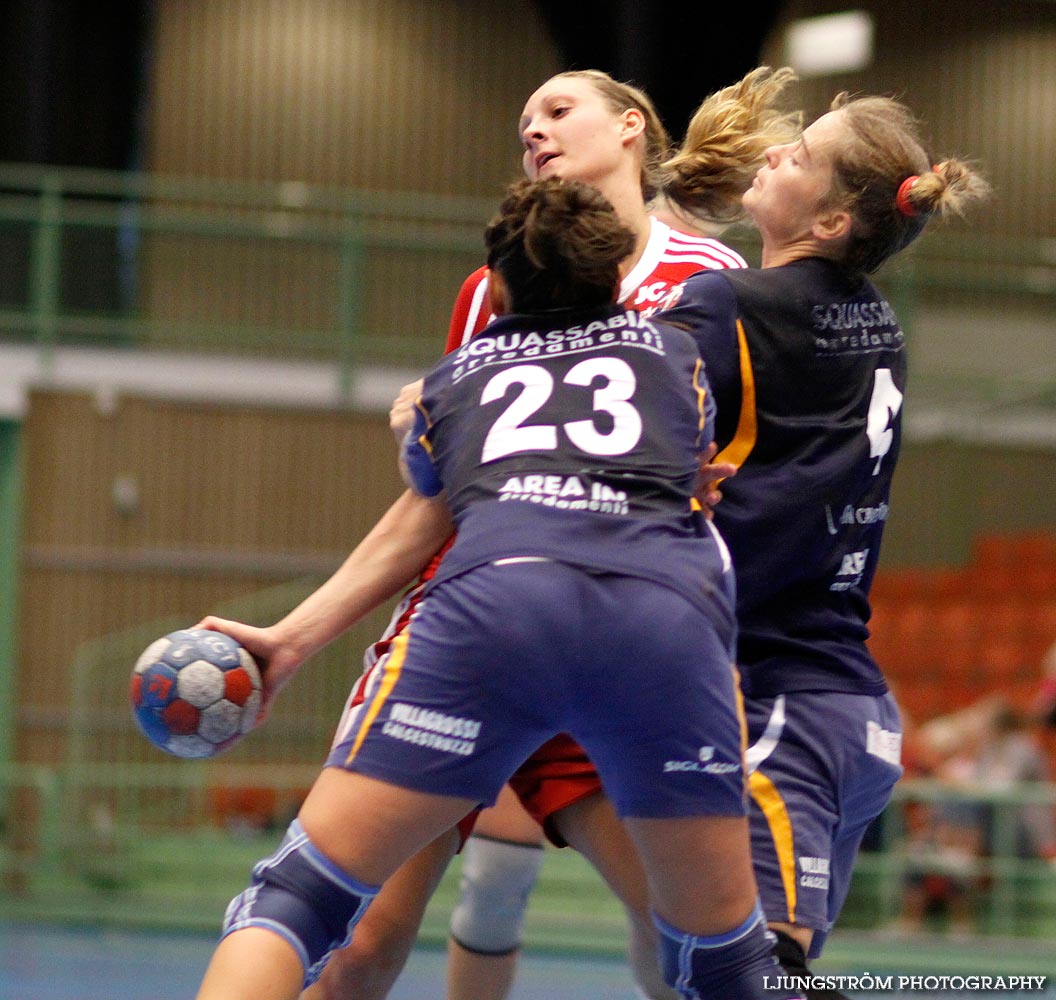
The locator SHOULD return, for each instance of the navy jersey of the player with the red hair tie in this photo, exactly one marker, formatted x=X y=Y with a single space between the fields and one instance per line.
x=808 y=371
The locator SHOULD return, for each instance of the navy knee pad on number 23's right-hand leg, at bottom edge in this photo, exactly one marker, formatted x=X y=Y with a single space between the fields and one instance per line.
x=738 y=964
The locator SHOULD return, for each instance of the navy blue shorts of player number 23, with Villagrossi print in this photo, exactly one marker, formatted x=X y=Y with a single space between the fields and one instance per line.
x=497 y=662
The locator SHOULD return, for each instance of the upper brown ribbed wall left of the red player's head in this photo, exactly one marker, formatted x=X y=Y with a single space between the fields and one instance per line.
x=366 y=96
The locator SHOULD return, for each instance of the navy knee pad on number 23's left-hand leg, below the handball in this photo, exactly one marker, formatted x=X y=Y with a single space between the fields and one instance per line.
x=304 y=897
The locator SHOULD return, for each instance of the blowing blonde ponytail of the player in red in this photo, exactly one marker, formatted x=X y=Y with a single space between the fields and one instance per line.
x=725 y=146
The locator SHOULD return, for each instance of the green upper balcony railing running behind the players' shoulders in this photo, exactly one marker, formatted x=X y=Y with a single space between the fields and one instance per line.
x=354 y=278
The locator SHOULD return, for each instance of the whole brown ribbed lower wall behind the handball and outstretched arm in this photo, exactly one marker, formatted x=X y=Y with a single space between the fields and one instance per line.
x=232 y=502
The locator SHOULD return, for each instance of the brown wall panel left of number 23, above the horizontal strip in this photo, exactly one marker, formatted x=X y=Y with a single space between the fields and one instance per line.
x=209 y=478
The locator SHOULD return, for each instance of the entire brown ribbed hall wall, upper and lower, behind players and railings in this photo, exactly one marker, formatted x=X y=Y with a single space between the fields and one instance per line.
x=140 y=511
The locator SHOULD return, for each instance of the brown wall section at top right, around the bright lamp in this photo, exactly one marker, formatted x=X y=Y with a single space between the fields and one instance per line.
x=982 y=77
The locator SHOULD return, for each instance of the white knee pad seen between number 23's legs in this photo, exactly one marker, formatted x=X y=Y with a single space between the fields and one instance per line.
x=498 y=878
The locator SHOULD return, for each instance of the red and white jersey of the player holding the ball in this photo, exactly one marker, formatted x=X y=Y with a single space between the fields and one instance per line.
x=669 y=259
